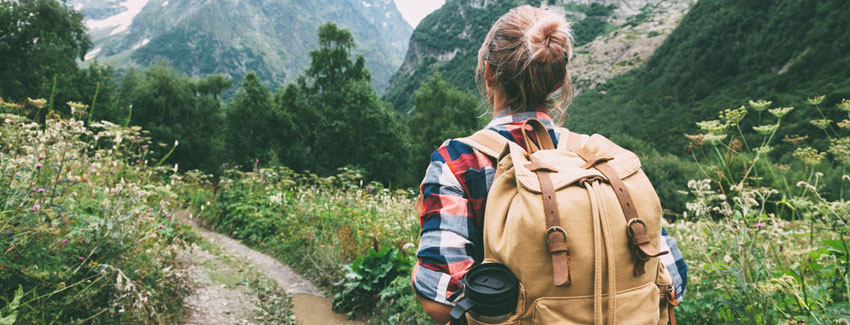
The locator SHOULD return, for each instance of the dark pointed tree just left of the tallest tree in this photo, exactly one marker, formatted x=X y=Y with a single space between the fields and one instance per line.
x=249 y=123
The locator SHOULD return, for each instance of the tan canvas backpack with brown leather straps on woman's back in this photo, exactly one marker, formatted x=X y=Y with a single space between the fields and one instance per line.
x=575 y=223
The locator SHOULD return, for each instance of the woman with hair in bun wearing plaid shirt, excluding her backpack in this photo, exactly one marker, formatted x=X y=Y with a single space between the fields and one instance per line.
x=522 y=71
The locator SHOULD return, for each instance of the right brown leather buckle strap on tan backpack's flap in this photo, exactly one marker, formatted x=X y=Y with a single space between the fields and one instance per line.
x=642 y=249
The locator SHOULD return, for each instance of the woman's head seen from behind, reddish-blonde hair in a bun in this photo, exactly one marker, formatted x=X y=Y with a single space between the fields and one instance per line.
x=525 y=57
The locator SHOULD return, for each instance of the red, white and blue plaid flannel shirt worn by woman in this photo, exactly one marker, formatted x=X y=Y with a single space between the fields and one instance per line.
x=454 y=193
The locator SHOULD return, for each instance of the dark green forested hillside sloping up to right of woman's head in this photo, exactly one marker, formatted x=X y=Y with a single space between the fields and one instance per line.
x=723 y=53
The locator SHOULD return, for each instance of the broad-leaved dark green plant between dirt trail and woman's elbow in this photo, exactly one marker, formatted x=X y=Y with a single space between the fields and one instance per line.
x=368 y=276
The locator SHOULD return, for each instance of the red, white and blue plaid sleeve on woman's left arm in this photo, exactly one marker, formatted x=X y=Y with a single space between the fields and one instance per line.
x=445 y=248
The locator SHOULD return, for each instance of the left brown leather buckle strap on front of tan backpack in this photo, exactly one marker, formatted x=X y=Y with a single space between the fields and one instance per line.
x=556 y=236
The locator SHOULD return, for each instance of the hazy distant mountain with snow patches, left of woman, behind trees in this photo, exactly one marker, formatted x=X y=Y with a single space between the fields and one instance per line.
x=271 y=37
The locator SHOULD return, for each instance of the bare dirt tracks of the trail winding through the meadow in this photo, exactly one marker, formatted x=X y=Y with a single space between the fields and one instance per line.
x=229 y=303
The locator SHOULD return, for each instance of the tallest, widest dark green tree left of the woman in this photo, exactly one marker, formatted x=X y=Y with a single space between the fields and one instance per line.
x=338 y=117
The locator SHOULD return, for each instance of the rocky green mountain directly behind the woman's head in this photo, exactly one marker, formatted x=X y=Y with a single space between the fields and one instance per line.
x=612 y=37
